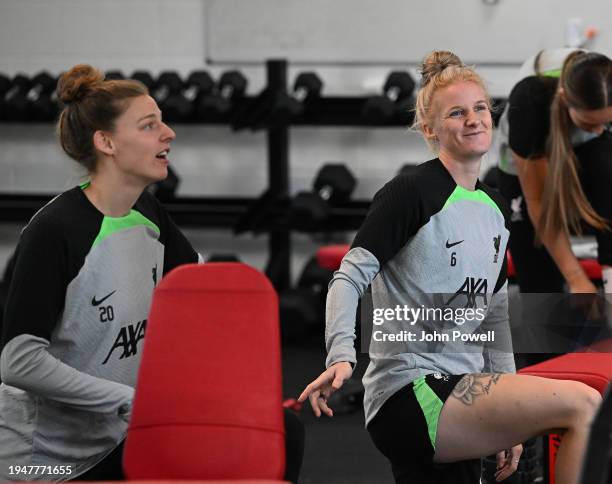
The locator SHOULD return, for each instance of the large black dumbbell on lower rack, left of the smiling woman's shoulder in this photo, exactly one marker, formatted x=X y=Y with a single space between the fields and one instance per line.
x=333 y=184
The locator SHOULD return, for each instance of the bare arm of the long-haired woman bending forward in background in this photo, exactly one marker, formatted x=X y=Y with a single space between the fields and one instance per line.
x=532 y=176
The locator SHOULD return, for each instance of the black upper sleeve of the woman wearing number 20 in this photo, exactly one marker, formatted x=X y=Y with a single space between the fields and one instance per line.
x=38 y=286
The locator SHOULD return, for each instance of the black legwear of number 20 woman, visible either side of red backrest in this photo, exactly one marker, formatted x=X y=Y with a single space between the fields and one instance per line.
x=110 y=468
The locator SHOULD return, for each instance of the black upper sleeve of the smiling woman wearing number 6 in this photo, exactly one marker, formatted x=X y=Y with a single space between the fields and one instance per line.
x=394 y=217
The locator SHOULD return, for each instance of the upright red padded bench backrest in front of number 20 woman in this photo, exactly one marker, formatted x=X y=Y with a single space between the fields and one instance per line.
x=208 y=398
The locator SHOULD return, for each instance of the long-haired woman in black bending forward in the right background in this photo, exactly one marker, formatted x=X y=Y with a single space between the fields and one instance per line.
x=556 y=167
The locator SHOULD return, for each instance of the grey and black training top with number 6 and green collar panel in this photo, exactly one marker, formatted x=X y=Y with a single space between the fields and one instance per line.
x=408 y=249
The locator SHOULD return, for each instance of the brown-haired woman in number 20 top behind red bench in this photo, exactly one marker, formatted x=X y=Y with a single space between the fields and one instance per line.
x=86 y=266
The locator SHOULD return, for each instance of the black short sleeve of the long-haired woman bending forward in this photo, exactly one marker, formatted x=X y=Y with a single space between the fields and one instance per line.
x=529 y=116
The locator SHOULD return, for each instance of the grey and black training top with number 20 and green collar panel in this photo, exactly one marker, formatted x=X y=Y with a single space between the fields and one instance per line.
x=75 y=319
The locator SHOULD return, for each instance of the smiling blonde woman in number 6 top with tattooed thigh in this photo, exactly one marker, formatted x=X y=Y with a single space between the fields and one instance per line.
x=435 y=240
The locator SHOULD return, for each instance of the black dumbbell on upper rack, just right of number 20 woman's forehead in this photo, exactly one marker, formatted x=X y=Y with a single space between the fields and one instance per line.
x=180 y=106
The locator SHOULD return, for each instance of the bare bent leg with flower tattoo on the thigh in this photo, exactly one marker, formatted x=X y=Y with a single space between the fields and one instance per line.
x=487 y=413
